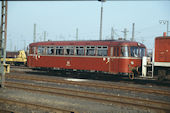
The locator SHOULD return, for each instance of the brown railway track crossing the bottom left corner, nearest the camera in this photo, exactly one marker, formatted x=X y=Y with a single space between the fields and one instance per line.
x=33 y=106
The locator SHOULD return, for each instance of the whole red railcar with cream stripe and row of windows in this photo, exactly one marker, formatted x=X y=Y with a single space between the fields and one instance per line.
x=112 y=56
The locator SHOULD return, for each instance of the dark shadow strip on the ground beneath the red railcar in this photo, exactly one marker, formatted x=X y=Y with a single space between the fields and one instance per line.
x=98 y=76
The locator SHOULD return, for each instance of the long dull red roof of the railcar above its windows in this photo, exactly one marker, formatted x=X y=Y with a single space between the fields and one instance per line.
x=89 y=42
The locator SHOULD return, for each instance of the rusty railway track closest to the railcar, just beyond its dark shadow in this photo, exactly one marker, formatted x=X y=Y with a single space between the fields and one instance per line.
x=90 y=84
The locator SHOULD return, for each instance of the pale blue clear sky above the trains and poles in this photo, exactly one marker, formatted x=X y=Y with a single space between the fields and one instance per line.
x=60 y=19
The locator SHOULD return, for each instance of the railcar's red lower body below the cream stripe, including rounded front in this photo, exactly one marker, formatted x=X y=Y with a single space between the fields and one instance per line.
x=105 y=64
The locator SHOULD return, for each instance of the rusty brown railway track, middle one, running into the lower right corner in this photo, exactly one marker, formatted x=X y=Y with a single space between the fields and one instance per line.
x=103 y=98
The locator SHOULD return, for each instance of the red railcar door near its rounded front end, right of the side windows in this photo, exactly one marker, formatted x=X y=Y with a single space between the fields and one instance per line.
x=114 y=64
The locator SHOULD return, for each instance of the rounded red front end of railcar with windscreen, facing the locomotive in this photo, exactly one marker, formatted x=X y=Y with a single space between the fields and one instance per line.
x=127 y=58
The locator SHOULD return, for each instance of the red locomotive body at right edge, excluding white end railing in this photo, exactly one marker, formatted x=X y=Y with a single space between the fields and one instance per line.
x=162 y=57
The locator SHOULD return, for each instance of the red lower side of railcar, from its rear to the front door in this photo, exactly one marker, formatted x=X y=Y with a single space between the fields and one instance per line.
x=81 y=63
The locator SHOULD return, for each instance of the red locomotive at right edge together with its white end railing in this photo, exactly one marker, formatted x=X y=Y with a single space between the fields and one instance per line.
x=160 y=64
